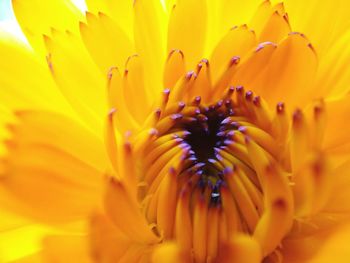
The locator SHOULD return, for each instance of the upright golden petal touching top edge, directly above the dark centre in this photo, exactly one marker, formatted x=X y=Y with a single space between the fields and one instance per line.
x=187 y=30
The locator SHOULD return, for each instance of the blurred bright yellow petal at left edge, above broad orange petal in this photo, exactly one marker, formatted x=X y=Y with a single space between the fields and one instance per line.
x=21 y=88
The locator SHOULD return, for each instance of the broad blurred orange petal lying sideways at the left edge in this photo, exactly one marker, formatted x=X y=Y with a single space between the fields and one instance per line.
x=45 y=177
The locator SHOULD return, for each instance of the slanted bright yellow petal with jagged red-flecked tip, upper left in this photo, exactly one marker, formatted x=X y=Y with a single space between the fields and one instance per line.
x=78 y=77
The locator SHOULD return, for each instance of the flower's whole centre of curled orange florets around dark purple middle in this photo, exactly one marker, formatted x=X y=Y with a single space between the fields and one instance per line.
x=213 y=166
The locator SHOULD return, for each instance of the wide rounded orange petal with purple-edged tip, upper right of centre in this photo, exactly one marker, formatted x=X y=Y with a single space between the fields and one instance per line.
x=289 y=73
